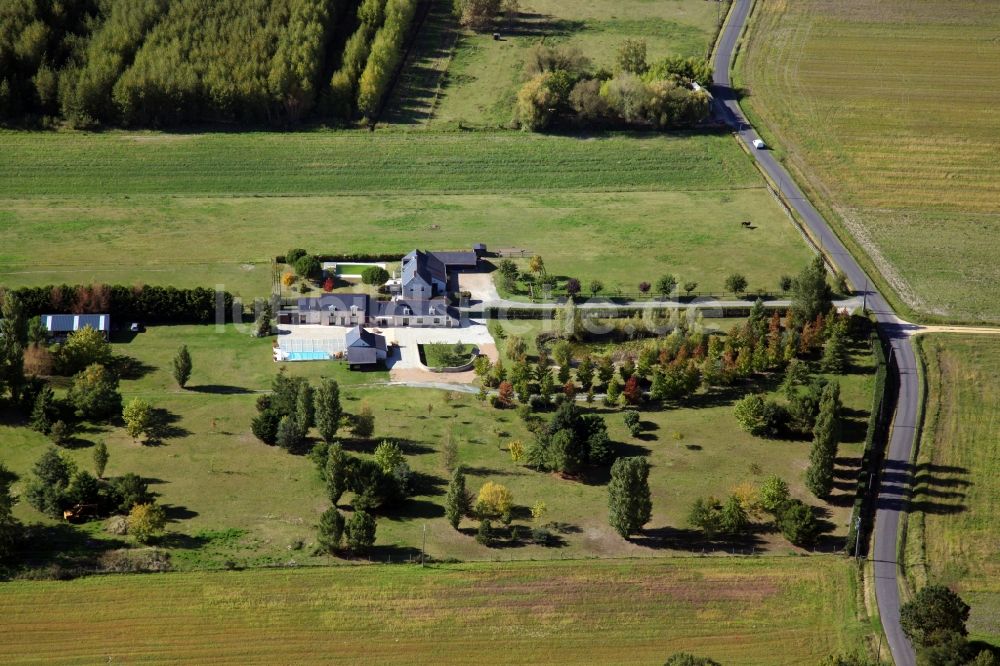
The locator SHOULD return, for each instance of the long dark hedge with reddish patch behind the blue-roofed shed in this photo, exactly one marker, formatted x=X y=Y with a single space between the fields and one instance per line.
x=155 y=305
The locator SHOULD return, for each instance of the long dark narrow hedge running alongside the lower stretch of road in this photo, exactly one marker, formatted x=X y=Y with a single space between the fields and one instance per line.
x=871 y=459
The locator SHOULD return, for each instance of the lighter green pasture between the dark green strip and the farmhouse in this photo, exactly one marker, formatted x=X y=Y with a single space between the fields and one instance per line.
x=230 y=241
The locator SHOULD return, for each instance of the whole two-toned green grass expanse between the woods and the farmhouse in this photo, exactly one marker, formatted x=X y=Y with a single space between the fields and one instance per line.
x=185 y=210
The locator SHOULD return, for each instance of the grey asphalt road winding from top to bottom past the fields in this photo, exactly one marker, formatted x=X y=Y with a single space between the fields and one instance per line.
x=895 y=480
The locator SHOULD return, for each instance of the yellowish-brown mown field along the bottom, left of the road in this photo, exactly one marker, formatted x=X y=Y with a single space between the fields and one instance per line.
x=786 y=611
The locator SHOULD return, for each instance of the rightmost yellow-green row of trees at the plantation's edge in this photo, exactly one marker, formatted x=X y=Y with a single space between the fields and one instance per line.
x=386 y=52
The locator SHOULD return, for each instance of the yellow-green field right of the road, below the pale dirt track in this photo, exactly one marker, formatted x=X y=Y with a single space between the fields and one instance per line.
x=954 y=536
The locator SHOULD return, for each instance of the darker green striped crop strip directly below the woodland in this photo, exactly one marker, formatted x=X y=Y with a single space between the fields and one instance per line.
x=122 y=164
